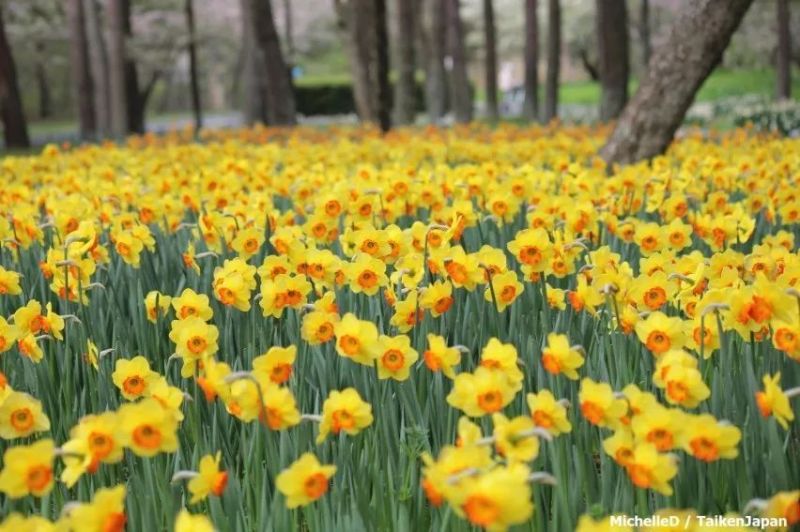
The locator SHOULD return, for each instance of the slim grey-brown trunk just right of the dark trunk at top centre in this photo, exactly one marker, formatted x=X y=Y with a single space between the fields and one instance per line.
x=405 y=104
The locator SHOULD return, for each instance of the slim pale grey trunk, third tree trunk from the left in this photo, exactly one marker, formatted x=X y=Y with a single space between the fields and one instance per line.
x=98 y=66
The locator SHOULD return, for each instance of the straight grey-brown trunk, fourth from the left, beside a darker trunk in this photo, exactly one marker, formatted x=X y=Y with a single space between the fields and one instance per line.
x=116 y=67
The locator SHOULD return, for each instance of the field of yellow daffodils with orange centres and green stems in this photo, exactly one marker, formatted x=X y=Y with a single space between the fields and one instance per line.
x=432 y=330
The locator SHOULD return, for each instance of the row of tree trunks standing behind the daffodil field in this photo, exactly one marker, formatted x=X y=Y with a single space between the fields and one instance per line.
x=429 y=36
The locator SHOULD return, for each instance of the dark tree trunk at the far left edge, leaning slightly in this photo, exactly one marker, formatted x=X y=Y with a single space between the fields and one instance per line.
x=15 y=128
